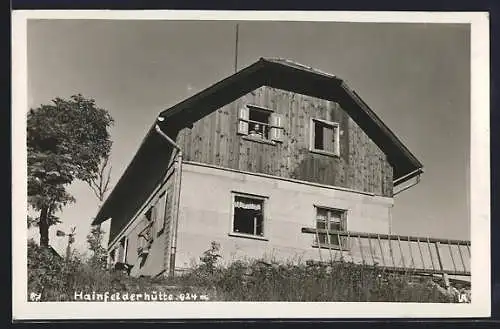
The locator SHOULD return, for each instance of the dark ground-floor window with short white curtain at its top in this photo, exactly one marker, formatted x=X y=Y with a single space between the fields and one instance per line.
x=248 y=215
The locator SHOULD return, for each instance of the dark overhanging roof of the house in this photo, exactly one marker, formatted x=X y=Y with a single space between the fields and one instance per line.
x=148 y=165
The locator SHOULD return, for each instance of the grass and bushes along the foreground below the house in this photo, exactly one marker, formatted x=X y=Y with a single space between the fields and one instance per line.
x=55 y=279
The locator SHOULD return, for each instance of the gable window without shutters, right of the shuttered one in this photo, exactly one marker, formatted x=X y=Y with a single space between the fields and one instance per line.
x=324 y=137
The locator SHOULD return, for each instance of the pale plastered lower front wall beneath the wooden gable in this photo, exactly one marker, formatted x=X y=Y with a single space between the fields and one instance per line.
x=205 y=215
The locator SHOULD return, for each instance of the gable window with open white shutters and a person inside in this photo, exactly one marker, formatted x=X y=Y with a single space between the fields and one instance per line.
x=259 y=123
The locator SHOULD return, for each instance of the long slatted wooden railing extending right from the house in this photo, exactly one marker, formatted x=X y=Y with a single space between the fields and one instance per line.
x=396 y=252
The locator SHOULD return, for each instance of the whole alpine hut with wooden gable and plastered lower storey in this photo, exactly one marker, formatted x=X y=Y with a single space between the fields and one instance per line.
x=250 y=161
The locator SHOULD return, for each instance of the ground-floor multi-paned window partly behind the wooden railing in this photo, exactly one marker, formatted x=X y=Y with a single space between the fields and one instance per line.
x=332 y=220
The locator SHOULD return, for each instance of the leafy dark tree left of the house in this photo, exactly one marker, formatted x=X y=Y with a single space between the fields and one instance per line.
x=66 y=140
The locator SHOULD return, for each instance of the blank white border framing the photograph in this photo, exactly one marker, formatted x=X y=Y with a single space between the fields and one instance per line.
x=479 y=180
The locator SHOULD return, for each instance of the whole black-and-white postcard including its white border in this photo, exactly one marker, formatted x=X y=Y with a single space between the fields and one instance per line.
x=250 y=165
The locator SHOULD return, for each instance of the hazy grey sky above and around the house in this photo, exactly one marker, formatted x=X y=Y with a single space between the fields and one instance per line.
x=416 y=77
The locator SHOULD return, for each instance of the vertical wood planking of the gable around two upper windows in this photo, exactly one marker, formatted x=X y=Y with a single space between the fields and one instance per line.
x=361 y=165
